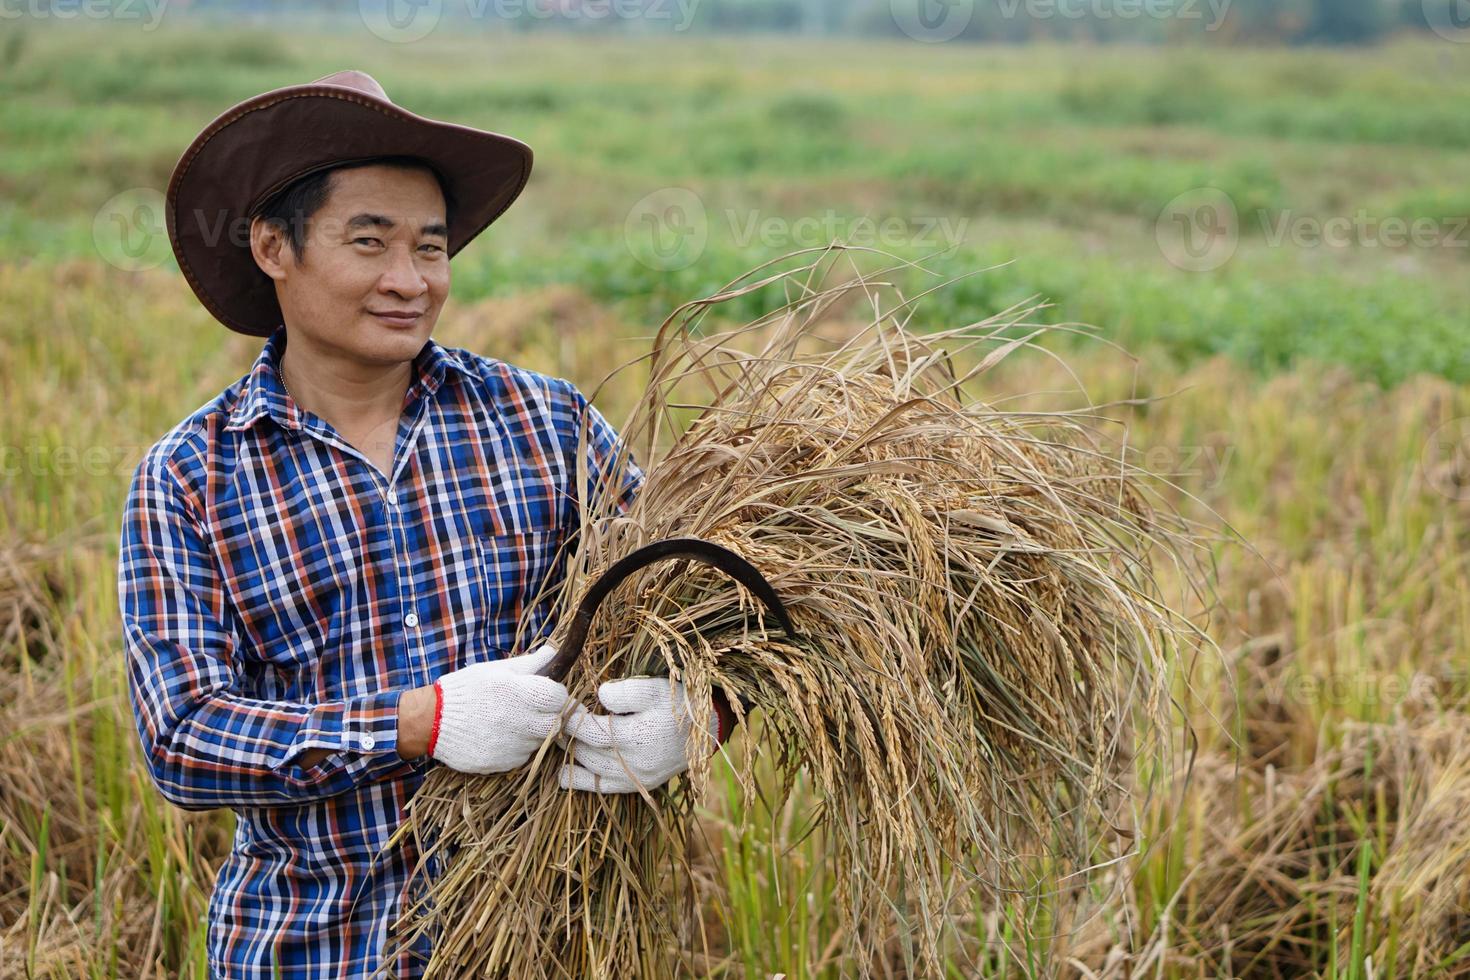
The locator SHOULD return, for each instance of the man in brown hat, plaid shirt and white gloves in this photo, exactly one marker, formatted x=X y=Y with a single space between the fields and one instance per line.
x=326 y=569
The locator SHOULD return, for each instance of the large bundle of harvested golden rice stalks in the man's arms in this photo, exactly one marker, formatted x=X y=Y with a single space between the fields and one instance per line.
x=980 y=662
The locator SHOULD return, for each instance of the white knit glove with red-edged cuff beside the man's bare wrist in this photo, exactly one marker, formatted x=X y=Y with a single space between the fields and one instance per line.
x=493 y=716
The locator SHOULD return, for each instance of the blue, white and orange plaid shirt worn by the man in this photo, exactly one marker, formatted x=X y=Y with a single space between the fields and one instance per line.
x=279 y=594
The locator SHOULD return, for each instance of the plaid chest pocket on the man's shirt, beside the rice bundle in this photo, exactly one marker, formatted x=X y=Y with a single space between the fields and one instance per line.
x=523 y=572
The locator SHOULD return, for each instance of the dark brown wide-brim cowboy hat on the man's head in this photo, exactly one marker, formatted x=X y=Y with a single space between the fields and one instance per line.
x=265 y=143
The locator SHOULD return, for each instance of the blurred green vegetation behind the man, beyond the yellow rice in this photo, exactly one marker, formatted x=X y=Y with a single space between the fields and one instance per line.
x=1055 y=162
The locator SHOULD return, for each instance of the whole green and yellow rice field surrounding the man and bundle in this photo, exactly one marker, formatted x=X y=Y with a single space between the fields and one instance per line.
x=1274 y=246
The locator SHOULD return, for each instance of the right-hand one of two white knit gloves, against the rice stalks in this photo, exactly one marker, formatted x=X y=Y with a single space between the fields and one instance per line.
x=643 y=744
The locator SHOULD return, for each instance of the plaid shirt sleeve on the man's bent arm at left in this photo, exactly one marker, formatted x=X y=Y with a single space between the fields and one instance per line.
x=207 y=744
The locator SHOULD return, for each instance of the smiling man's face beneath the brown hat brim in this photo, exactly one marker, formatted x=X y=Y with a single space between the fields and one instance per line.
x=377 y=246
